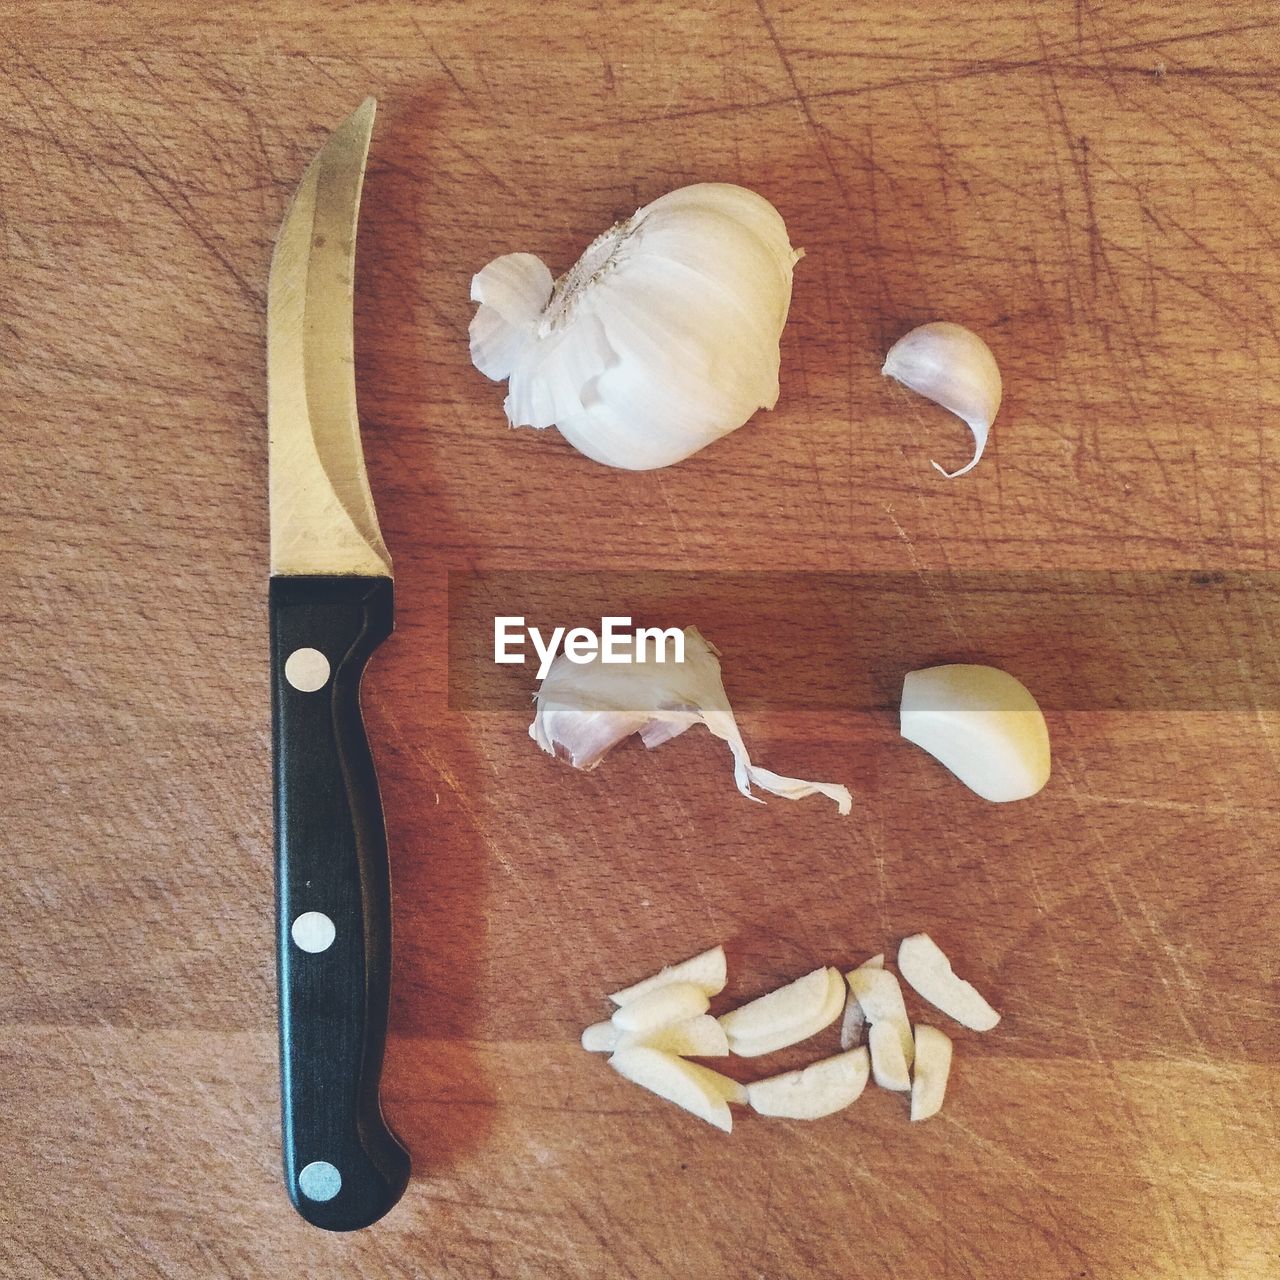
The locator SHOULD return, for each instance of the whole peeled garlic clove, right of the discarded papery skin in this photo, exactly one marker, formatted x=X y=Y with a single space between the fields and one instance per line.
x=984 y=725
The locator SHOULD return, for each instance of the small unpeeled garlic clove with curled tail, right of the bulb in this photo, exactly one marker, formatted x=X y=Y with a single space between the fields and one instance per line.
x=954 y=368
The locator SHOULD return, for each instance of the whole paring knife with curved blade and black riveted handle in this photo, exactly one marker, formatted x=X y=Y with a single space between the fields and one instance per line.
x=331 y=607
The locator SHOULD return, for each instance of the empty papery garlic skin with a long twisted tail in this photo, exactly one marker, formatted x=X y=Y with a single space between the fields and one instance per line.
x=586 y=710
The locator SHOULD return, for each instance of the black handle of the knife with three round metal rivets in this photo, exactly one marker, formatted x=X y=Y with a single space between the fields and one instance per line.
x=344 y=1167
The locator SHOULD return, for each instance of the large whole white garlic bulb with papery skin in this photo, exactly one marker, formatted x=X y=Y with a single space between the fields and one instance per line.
x=661 y=340
